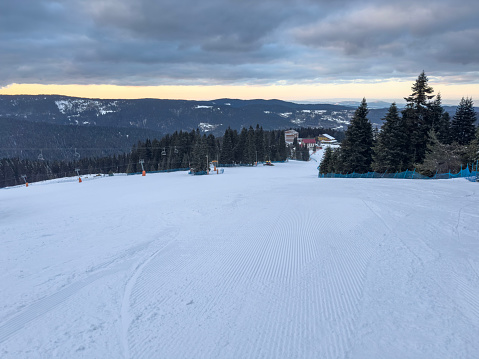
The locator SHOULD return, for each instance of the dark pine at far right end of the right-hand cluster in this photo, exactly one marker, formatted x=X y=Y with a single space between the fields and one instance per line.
x=462 y=127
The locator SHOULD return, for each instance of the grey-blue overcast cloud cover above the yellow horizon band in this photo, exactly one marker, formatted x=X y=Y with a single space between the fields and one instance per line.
x=238 y=42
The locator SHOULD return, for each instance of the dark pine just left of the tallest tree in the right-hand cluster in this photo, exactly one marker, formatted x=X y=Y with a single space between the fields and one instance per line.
x=392 y=145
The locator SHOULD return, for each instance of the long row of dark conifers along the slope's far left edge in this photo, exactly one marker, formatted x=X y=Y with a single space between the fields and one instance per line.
x=180 y=150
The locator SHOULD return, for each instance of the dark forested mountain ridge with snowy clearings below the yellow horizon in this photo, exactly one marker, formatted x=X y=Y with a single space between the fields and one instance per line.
x=58 y=124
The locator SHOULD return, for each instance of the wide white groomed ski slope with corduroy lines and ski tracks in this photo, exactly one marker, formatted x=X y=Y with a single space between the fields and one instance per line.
x=259 y=262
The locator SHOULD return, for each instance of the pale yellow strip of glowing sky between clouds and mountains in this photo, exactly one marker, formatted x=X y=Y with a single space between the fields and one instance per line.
x=356 y=90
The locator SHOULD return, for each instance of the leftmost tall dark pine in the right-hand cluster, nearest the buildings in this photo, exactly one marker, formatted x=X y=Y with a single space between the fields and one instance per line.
x=357 y=146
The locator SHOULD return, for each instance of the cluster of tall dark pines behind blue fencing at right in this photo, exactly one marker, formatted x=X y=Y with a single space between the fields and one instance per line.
x=422 y=136
